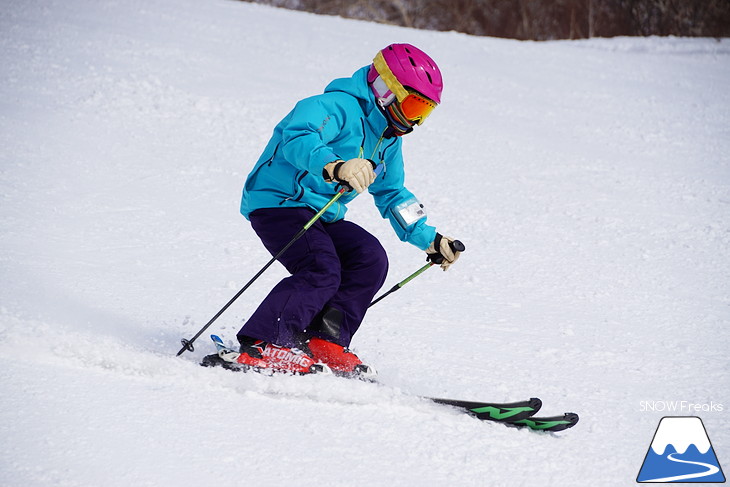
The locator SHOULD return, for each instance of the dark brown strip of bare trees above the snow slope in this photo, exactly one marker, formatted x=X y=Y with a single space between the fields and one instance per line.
x=536 y=19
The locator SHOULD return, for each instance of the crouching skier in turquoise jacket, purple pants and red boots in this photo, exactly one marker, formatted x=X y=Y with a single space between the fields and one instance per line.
x=340 y=137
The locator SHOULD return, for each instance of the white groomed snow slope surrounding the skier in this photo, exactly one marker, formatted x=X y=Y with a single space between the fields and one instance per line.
x=589 y=180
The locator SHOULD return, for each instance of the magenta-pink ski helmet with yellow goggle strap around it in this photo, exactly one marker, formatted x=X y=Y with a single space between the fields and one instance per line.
x=405 y=66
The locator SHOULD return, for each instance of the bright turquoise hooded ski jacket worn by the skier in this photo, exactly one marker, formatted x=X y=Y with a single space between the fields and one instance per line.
x=342 y=123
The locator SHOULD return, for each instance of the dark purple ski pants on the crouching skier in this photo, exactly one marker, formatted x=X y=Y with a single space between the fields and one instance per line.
x=336 y=269
